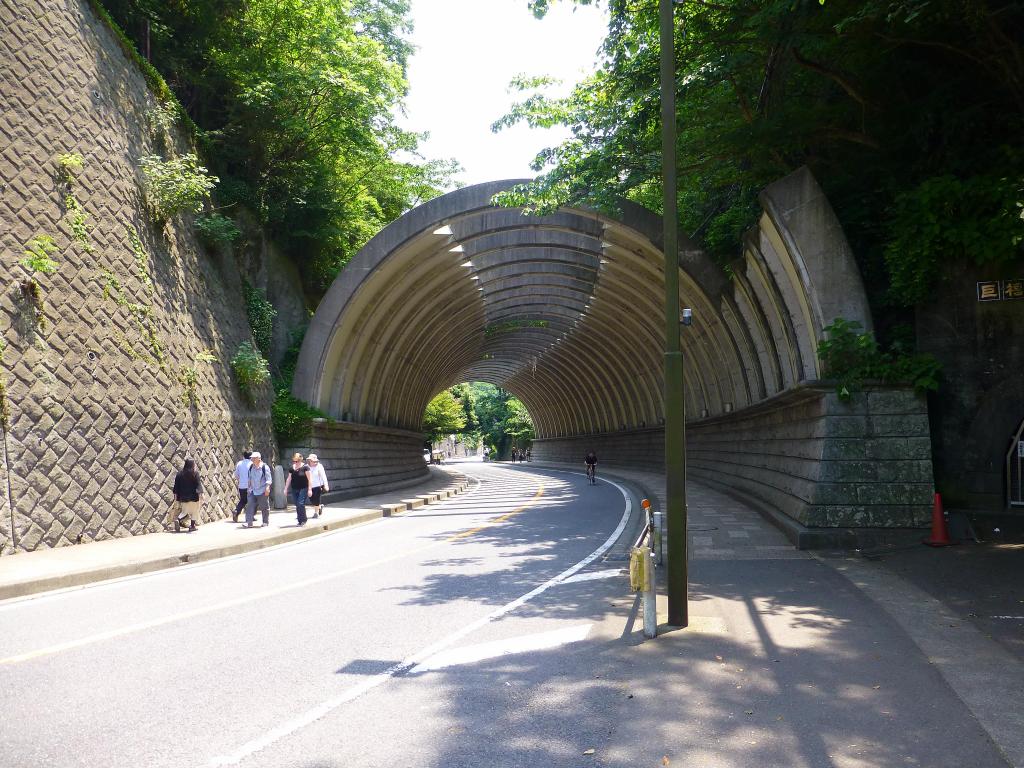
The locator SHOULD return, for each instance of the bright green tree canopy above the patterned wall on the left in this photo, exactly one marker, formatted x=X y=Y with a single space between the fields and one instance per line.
x=294 y=102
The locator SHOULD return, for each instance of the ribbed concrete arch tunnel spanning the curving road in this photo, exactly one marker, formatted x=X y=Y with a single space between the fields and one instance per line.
x=566 y=312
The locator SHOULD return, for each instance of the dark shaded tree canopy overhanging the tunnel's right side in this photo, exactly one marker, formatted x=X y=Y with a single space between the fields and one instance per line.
x=909 y=112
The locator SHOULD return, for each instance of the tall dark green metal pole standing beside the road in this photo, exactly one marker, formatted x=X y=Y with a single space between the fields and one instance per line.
x=675 y=415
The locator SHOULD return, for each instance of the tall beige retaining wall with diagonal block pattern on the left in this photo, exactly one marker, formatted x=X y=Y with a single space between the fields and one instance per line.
x=106 y=390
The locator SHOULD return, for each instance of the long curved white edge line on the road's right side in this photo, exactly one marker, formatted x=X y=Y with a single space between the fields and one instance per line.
x=311 y=716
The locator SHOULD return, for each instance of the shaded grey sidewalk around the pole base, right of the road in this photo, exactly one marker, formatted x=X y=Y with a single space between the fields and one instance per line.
x=751 y=589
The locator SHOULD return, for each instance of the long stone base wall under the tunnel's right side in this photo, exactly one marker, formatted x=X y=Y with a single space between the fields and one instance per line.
x=823 y=462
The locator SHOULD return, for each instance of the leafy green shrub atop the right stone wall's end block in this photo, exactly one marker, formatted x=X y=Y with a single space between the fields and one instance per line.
x=854 y=358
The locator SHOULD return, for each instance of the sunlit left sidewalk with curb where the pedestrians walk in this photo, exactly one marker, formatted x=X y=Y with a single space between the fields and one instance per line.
x=31 y=573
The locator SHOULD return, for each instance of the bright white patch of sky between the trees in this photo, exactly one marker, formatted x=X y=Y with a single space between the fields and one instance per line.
x=467 y=54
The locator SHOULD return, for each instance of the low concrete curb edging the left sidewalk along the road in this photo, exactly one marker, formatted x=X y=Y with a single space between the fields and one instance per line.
x=137 y=568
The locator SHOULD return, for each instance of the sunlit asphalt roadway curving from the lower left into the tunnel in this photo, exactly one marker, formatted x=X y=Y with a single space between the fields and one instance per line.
x=337 y=651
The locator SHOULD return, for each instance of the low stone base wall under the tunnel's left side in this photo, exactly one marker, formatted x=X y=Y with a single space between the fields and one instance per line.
x=362 y=459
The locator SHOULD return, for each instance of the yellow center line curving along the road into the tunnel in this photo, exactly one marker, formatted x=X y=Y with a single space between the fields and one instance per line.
x=143 y=626
